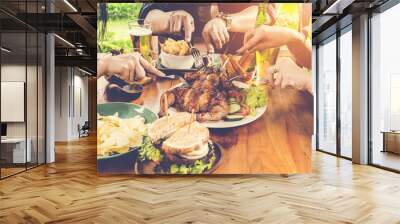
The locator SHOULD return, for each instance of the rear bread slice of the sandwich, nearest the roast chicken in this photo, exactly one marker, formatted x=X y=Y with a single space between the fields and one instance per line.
x=166 y=126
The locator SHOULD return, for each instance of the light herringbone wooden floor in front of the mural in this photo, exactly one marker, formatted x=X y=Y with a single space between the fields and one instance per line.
x=70 y=191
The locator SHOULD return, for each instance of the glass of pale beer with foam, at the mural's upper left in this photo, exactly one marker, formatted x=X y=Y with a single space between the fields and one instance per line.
x=140 y=33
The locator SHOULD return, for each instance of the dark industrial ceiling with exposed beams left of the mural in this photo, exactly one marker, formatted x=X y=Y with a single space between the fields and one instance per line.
x=74 y=22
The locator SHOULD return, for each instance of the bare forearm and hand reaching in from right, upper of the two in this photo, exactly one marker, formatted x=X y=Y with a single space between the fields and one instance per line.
x=265 y=36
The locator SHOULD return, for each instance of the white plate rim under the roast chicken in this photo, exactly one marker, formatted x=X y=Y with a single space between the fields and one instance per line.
x=230 y=124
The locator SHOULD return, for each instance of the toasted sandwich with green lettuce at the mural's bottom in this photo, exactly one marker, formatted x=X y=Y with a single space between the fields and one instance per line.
x=183 y=143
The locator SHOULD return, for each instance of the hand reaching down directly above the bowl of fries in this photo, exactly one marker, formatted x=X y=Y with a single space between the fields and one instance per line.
x=179 y=20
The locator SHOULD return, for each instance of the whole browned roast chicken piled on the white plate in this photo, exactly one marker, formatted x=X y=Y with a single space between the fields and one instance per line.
x=206 y=92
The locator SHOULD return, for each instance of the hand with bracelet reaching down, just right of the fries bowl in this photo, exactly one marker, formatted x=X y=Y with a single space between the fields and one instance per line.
x=215 y=34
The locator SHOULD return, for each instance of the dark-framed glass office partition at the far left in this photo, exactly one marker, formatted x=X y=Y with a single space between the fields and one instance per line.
x=22 y=77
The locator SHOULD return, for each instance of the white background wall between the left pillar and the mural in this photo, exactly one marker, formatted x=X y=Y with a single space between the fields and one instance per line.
x=71 y=94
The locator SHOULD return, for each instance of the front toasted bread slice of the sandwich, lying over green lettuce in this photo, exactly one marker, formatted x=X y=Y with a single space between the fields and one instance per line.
x=188 y=140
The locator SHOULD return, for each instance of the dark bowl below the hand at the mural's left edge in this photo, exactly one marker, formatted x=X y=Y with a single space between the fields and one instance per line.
x=120 y=91
